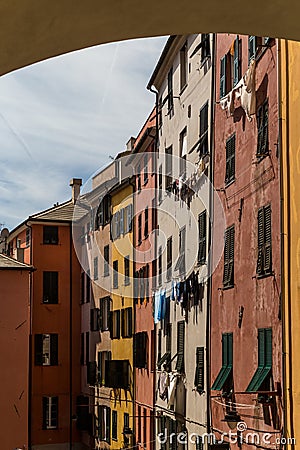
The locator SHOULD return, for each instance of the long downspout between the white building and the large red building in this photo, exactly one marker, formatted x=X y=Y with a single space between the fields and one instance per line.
x=210 y=240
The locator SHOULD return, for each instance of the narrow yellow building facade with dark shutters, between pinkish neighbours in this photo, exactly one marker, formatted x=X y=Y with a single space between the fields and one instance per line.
x=122 y=320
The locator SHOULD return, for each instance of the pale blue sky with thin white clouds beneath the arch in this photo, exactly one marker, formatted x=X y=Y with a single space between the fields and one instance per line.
x=62 y=119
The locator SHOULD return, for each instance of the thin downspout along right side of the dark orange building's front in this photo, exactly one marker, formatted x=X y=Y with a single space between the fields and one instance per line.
x=71 y=338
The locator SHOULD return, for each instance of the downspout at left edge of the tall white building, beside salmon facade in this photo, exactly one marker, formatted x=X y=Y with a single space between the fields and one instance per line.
x=150 y=88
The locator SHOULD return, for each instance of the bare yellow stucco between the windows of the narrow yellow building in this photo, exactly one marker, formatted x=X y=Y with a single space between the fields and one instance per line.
x=122 y=297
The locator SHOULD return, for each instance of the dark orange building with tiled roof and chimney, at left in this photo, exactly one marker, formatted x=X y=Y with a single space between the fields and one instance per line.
x=45 y=241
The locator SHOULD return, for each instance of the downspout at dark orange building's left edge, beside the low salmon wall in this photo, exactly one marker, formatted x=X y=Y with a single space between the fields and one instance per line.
x=30 y=342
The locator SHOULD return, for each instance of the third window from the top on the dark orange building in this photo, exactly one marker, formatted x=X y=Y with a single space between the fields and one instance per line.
x=46 y=350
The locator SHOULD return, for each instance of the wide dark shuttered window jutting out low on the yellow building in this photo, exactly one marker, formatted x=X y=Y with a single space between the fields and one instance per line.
x=117 y=373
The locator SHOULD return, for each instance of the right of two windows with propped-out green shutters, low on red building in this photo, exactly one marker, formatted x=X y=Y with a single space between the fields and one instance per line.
x=261 y=377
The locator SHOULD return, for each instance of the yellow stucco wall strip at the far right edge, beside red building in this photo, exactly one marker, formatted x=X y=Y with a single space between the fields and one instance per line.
x=289 y=82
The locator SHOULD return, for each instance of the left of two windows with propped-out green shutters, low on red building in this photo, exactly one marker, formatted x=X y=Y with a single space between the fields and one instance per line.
x=224 y=376
